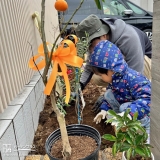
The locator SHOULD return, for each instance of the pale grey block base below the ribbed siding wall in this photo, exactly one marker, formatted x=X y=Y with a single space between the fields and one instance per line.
x=19 y=121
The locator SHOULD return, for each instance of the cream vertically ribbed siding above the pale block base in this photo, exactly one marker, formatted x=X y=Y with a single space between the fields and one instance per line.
x=16 y=30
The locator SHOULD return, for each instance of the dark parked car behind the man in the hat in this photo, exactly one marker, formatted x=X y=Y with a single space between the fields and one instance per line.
x=122 y=9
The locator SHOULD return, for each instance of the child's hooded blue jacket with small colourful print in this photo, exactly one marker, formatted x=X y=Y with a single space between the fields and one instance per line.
x=127 y=84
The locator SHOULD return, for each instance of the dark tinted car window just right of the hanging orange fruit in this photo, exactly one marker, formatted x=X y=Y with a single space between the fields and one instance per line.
x=88 y=7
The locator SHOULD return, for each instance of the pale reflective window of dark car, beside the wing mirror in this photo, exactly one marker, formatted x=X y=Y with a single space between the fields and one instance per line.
x=113 y=7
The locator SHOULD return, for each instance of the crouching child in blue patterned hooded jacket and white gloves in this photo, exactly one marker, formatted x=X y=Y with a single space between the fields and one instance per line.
x=127 y=88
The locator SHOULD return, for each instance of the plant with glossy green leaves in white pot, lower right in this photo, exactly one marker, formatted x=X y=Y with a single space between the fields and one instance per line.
x=130 y=137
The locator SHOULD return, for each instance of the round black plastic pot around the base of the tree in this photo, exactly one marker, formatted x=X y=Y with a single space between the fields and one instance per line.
x=75 y=130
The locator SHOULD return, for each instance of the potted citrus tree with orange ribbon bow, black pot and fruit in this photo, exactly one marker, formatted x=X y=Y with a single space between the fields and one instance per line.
x=56 y=59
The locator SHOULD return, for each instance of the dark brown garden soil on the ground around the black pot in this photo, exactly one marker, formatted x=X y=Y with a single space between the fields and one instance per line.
x=48 y=121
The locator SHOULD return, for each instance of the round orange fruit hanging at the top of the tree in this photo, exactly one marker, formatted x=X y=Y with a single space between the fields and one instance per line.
x=61 y=5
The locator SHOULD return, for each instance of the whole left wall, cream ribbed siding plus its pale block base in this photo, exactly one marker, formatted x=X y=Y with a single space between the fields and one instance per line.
x=21 y=89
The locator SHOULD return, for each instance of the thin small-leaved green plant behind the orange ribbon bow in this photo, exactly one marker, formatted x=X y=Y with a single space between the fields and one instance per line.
x=74 y=74
